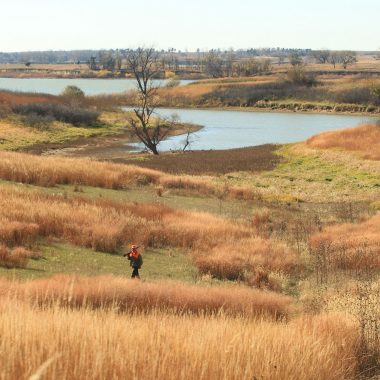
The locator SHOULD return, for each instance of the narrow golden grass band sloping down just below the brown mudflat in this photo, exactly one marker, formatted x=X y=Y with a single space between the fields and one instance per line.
x=49 y=171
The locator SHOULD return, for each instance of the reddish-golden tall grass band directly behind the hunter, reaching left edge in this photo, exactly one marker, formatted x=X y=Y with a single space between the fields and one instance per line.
x=222 y=247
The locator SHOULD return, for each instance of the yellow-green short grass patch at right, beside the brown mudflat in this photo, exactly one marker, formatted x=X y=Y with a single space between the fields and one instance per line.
x=310 y=177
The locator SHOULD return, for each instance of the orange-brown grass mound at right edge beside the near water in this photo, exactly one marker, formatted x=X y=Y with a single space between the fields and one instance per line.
x=364 y=139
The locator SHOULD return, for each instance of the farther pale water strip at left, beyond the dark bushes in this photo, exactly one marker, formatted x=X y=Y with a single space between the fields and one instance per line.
x=89 y=86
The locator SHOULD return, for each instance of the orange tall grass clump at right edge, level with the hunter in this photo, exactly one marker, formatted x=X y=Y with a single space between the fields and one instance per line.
x=350 y=245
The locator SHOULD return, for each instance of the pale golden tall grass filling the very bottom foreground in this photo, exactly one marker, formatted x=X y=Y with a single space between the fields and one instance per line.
x=84 y=344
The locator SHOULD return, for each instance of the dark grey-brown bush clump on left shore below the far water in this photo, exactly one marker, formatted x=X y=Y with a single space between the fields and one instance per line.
x=56 y=112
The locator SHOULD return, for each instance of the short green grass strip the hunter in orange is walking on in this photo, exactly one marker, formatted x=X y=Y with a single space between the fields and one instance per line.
x=58 y=257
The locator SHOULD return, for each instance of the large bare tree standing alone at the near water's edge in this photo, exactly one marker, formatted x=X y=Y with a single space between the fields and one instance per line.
x=149 y=129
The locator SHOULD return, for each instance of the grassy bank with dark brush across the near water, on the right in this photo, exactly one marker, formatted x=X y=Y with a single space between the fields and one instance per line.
x=352 y=94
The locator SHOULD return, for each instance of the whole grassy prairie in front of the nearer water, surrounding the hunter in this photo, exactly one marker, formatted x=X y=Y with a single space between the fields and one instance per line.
x=259 y=263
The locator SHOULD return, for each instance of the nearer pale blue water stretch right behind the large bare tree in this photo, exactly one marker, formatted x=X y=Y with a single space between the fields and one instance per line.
x=237 y=129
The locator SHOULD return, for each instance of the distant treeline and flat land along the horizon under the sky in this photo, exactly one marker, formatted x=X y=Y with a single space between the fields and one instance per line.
x=214 y=63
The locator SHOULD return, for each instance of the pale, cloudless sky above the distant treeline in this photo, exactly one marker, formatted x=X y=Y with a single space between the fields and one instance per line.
x=27 y=25
